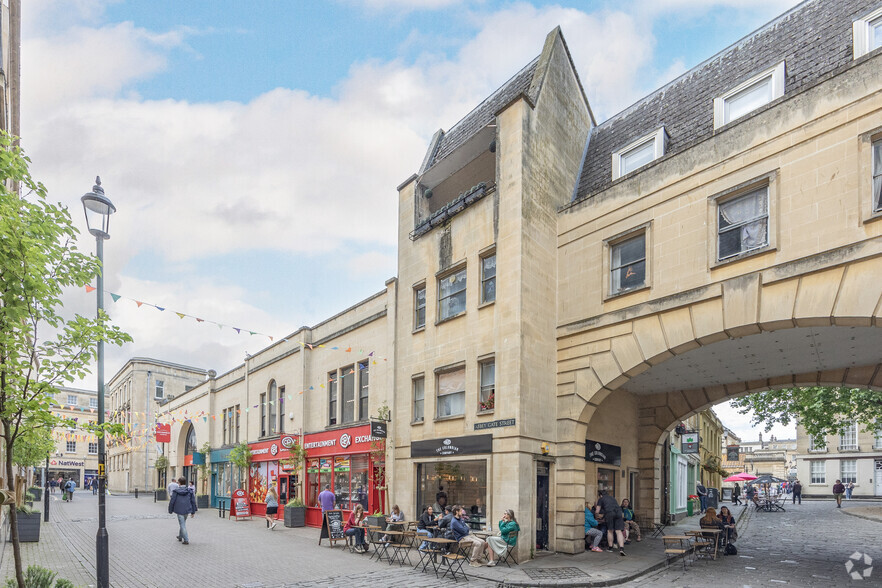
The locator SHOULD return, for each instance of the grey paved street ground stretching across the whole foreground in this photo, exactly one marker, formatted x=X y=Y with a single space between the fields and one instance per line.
x=808 y=545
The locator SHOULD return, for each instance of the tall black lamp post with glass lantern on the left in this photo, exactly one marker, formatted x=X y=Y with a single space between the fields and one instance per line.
x=98 y=209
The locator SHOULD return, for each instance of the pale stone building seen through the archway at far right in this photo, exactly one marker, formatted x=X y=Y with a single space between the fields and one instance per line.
x=854 y=456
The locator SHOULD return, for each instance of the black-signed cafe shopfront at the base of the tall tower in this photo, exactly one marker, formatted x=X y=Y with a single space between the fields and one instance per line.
x=454 y=481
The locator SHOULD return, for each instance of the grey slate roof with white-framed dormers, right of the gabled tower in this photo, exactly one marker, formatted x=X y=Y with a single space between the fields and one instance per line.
x=814 y=39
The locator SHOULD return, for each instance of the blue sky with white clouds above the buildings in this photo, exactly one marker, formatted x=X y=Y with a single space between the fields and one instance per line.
x=253 y=149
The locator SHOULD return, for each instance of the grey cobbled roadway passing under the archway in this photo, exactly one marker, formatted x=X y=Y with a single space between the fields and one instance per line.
x=806 y=546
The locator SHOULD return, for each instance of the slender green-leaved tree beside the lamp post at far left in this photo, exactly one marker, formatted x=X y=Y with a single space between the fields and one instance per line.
x=40 y=349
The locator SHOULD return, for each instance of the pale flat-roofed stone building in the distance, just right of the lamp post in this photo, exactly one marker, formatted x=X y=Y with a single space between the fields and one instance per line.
x=134 y=396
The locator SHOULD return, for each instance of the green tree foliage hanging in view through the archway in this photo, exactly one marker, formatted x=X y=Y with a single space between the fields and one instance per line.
x=820 y=410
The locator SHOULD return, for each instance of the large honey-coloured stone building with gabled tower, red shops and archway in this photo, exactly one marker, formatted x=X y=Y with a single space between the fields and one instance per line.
x=569 y=292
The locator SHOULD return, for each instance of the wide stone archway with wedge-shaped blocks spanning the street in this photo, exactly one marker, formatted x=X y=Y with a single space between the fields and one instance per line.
x=643 y=349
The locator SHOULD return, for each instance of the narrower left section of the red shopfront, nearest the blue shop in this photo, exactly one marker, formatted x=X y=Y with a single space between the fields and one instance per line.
x=266 y=470
